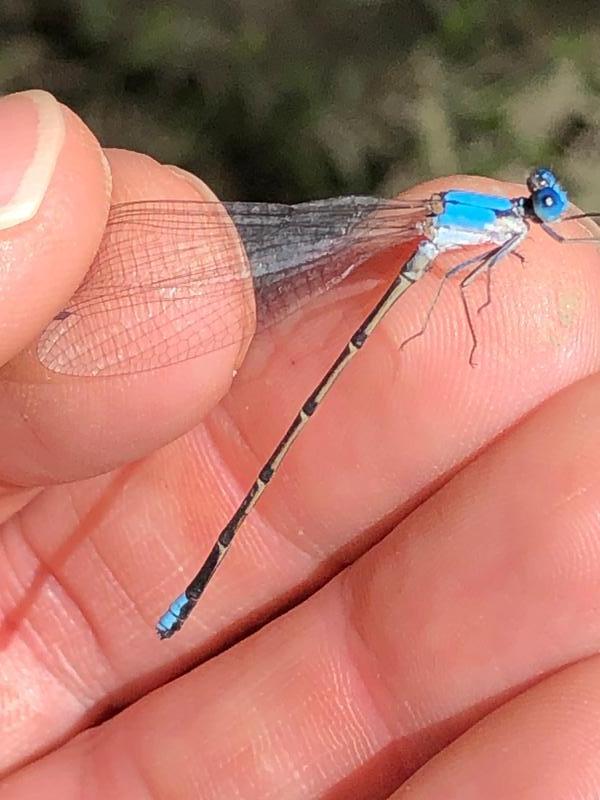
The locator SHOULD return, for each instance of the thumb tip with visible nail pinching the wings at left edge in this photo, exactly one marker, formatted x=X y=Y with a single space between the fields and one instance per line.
x=54 y=195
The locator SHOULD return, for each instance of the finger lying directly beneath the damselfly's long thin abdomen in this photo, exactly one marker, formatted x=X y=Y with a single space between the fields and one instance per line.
x=91 y=565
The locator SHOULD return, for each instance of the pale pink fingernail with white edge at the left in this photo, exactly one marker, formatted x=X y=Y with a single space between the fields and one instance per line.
x=32 y=132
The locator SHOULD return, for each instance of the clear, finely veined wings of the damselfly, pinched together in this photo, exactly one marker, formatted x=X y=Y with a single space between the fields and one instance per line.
x=175 y=279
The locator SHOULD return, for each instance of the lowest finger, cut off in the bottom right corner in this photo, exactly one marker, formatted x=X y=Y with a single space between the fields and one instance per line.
x=541 y=746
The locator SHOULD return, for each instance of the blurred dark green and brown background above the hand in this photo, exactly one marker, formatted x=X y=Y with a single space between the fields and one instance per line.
x=294 y=99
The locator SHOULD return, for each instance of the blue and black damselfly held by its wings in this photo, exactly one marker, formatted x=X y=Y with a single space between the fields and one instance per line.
x=136 y=309
